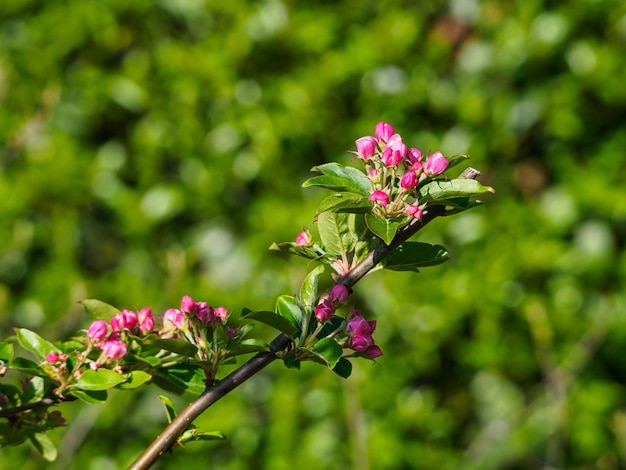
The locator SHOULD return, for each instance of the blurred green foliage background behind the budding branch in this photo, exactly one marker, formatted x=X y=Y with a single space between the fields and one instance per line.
x=151 y=149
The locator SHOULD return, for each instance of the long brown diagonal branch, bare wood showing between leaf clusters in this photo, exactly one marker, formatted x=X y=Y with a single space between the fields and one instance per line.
x=164 y=442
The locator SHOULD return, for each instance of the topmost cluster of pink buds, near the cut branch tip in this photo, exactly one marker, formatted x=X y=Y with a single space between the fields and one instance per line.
x=395 y=171
